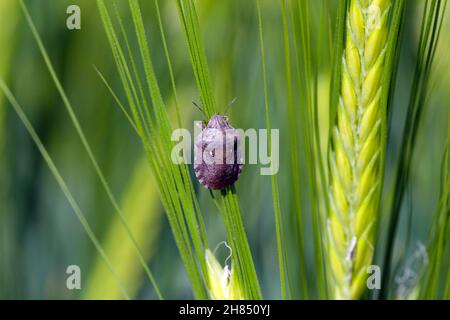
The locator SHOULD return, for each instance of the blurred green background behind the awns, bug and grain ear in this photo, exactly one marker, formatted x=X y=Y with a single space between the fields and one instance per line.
x=39 y=234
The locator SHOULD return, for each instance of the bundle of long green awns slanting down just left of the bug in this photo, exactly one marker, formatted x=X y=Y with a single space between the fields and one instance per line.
x=154 y=129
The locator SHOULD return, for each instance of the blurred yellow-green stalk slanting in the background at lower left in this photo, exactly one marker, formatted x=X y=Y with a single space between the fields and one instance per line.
x=143 y=211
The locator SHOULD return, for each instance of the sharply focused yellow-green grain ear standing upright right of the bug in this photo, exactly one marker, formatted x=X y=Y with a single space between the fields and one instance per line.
x=355 y=149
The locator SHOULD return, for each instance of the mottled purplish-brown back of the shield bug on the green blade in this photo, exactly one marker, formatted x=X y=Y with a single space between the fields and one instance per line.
x=217 y=154
